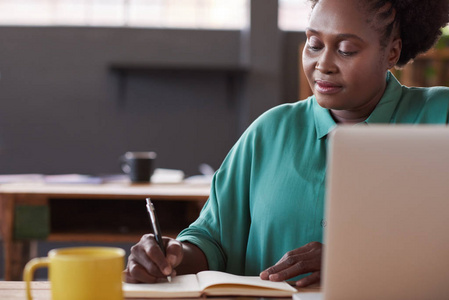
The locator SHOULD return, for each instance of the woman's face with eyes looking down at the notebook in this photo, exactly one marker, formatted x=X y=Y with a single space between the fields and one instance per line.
x=343 y=60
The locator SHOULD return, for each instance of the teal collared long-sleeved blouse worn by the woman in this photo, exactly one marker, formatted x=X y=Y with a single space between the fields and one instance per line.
x=267 y=198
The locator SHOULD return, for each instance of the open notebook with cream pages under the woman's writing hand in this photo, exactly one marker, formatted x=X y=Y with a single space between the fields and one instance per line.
x=210 y=283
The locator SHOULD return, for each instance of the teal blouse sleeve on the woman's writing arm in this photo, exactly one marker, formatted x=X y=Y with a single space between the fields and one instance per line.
x=221 y=230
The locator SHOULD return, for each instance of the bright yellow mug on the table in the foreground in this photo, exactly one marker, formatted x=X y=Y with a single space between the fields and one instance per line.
x=87 y=273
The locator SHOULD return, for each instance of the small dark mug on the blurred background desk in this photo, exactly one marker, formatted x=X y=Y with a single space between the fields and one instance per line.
x=138 y=165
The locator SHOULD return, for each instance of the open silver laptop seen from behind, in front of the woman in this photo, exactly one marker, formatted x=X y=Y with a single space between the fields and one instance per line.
x=387 y=214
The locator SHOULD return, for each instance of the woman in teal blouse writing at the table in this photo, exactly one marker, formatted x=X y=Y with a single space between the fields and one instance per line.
x=265 y=211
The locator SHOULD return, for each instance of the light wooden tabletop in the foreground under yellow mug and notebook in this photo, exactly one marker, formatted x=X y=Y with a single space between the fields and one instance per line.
x=12 y=290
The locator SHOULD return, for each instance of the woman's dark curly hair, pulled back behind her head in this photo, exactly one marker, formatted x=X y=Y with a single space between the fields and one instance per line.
x=419 y=22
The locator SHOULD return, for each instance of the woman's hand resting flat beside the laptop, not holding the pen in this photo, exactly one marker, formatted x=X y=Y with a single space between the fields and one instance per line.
x=302 y=260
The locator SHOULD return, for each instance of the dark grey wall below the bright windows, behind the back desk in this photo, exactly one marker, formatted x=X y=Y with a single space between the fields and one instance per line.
x=63 y=109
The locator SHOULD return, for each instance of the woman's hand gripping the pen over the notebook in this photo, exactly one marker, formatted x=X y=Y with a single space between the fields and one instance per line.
x=147 y=263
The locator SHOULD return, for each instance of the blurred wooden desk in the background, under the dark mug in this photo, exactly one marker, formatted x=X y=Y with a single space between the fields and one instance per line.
x=88 y=213
